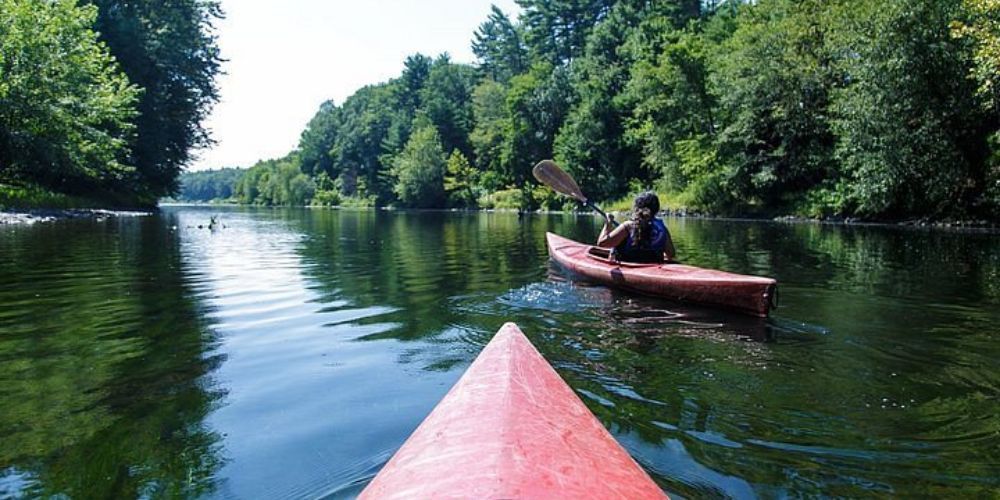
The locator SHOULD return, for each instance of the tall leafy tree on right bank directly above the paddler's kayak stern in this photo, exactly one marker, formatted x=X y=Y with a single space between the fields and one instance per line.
x=774 y=81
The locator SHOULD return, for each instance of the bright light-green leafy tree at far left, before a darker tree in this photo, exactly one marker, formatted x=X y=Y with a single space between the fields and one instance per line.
x=65 y=110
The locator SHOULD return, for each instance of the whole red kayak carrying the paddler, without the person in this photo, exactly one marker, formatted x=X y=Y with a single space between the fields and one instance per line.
x=747 y=294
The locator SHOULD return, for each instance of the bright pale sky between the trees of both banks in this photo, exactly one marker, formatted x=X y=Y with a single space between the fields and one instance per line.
x=286 y=58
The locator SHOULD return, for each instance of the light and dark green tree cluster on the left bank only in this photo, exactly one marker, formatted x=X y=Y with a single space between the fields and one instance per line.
x=104 y=98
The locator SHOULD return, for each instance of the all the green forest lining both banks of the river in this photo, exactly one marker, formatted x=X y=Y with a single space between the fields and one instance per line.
x=884 y=109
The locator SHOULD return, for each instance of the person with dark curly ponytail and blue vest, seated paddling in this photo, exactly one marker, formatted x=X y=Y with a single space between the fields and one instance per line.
x=644 y=238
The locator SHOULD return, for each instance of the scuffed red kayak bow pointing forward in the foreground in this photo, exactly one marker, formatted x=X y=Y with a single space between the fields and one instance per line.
x=511 y=428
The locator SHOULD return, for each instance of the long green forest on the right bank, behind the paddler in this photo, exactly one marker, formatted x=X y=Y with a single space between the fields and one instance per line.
x=887 y=108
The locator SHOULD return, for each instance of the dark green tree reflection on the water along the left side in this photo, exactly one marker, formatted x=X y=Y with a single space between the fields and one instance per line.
x=105 y=364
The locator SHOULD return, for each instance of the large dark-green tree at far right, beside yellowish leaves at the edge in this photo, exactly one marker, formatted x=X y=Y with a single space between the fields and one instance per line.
x=911 y=138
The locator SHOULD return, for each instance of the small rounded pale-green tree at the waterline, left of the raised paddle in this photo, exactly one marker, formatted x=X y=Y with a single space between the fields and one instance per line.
x=419 y=169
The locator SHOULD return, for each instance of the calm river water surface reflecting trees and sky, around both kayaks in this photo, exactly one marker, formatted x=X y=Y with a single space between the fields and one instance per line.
x=291 y=353
